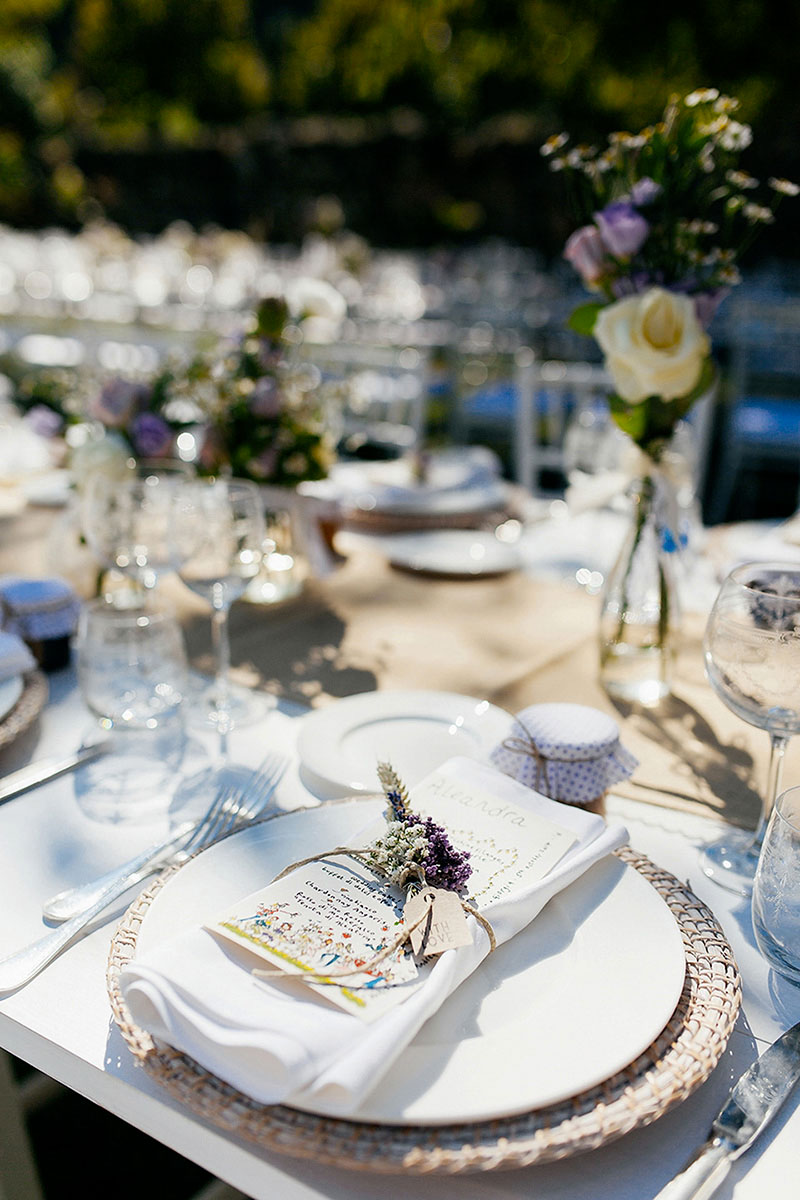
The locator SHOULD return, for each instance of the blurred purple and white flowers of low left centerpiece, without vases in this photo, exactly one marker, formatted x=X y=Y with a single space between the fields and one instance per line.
x=245 y=409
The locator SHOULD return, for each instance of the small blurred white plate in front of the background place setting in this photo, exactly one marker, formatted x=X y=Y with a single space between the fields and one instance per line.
x=462 y=553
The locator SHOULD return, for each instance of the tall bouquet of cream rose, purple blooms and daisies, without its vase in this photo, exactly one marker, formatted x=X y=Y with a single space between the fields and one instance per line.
x=666 y=217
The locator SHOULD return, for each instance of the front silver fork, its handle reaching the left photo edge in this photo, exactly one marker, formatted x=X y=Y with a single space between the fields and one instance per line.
x=230 y=811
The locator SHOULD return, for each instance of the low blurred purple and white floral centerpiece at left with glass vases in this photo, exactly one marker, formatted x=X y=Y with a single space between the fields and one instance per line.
x=248 y=407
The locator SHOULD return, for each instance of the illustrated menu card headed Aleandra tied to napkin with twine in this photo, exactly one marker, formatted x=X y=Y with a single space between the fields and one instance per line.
x=335 y=915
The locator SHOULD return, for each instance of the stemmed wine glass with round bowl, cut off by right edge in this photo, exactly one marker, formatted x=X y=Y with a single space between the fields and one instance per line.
x=753 y=662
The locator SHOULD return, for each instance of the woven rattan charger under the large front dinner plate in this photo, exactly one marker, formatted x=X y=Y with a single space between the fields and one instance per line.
x=667 y=1073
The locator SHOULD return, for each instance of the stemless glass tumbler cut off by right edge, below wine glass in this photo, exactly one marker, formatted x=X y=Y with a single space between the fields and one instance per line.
x=777 y=889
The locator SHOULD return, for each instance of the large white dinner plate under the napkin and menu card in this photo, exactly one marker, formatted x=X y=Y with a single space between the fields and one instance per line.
x=564 y=1005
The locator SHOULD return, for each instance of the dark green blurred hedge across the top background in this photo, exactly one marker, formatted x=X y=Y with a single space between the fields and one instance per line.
x=423 y=118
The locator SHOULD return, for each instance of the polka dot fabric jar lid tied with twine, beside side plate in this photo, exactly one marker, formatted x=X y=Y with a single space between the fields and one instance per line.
x=568 y=752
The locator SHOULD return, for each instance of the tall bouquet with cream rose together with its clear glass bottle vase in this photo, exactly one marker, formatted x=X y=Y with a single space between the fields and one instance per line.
x=666 y=217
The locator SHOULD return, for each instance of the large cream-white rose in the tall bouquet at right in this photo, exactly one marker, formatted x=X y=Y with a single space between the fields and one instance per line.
x=654 y=345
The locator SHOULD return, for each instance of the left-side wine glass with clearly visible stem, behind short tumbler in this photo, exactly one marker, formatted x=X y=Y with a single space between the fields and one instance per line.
x=220 y=532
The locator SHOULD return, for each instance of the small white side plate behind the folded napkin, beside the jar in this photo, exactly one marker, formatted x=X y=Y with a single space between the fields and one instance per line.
x=417 y=731
